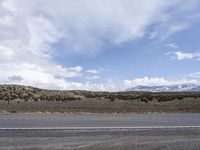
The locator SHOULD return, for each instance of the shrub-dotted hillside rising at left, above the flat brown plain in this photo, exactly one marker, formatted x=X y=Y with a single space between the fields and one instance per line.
x=16 y=92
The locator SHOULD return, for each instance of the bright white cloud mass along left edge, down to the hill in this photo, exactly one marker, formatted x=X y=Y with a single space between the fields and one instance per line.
x=25 y=52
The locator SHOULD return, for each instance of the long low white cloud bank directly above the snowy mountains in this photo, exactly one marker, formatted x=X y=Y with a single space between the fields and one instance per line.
x=156 y=81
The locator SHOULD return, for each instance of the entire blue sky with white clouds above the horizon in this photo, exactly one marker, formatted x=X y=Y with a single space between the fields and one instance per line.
x=100 y=45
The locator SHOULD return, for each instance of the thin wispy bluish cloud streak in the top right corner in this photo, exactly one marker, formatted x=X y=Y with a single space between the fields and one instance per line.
x=179 y=18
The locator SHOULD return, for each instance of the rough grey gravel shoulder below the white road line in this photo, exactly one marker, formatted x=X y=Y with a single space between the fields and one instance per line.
x=128 y=139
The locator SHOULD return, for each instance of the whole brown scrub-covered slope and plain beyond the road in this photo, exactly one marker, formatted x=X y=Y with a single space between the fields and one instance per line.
x=15 y=98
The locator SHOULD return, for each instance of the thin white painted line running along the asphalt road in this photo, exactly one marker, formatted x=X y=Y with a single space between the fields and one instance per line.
x=79 y=128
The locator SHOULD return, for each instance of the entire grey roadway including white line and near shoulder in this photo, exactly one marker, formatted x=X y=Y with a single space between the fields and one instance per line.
x=100 y=132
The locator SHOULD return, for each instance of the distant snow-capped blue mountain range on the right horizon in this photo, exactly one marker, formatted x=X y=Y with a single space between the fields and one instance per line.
x=169 y=88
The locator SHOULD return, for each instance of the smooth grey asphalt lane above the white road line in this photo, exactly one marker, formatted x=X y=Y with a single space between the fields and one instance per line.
x=100 y=121
